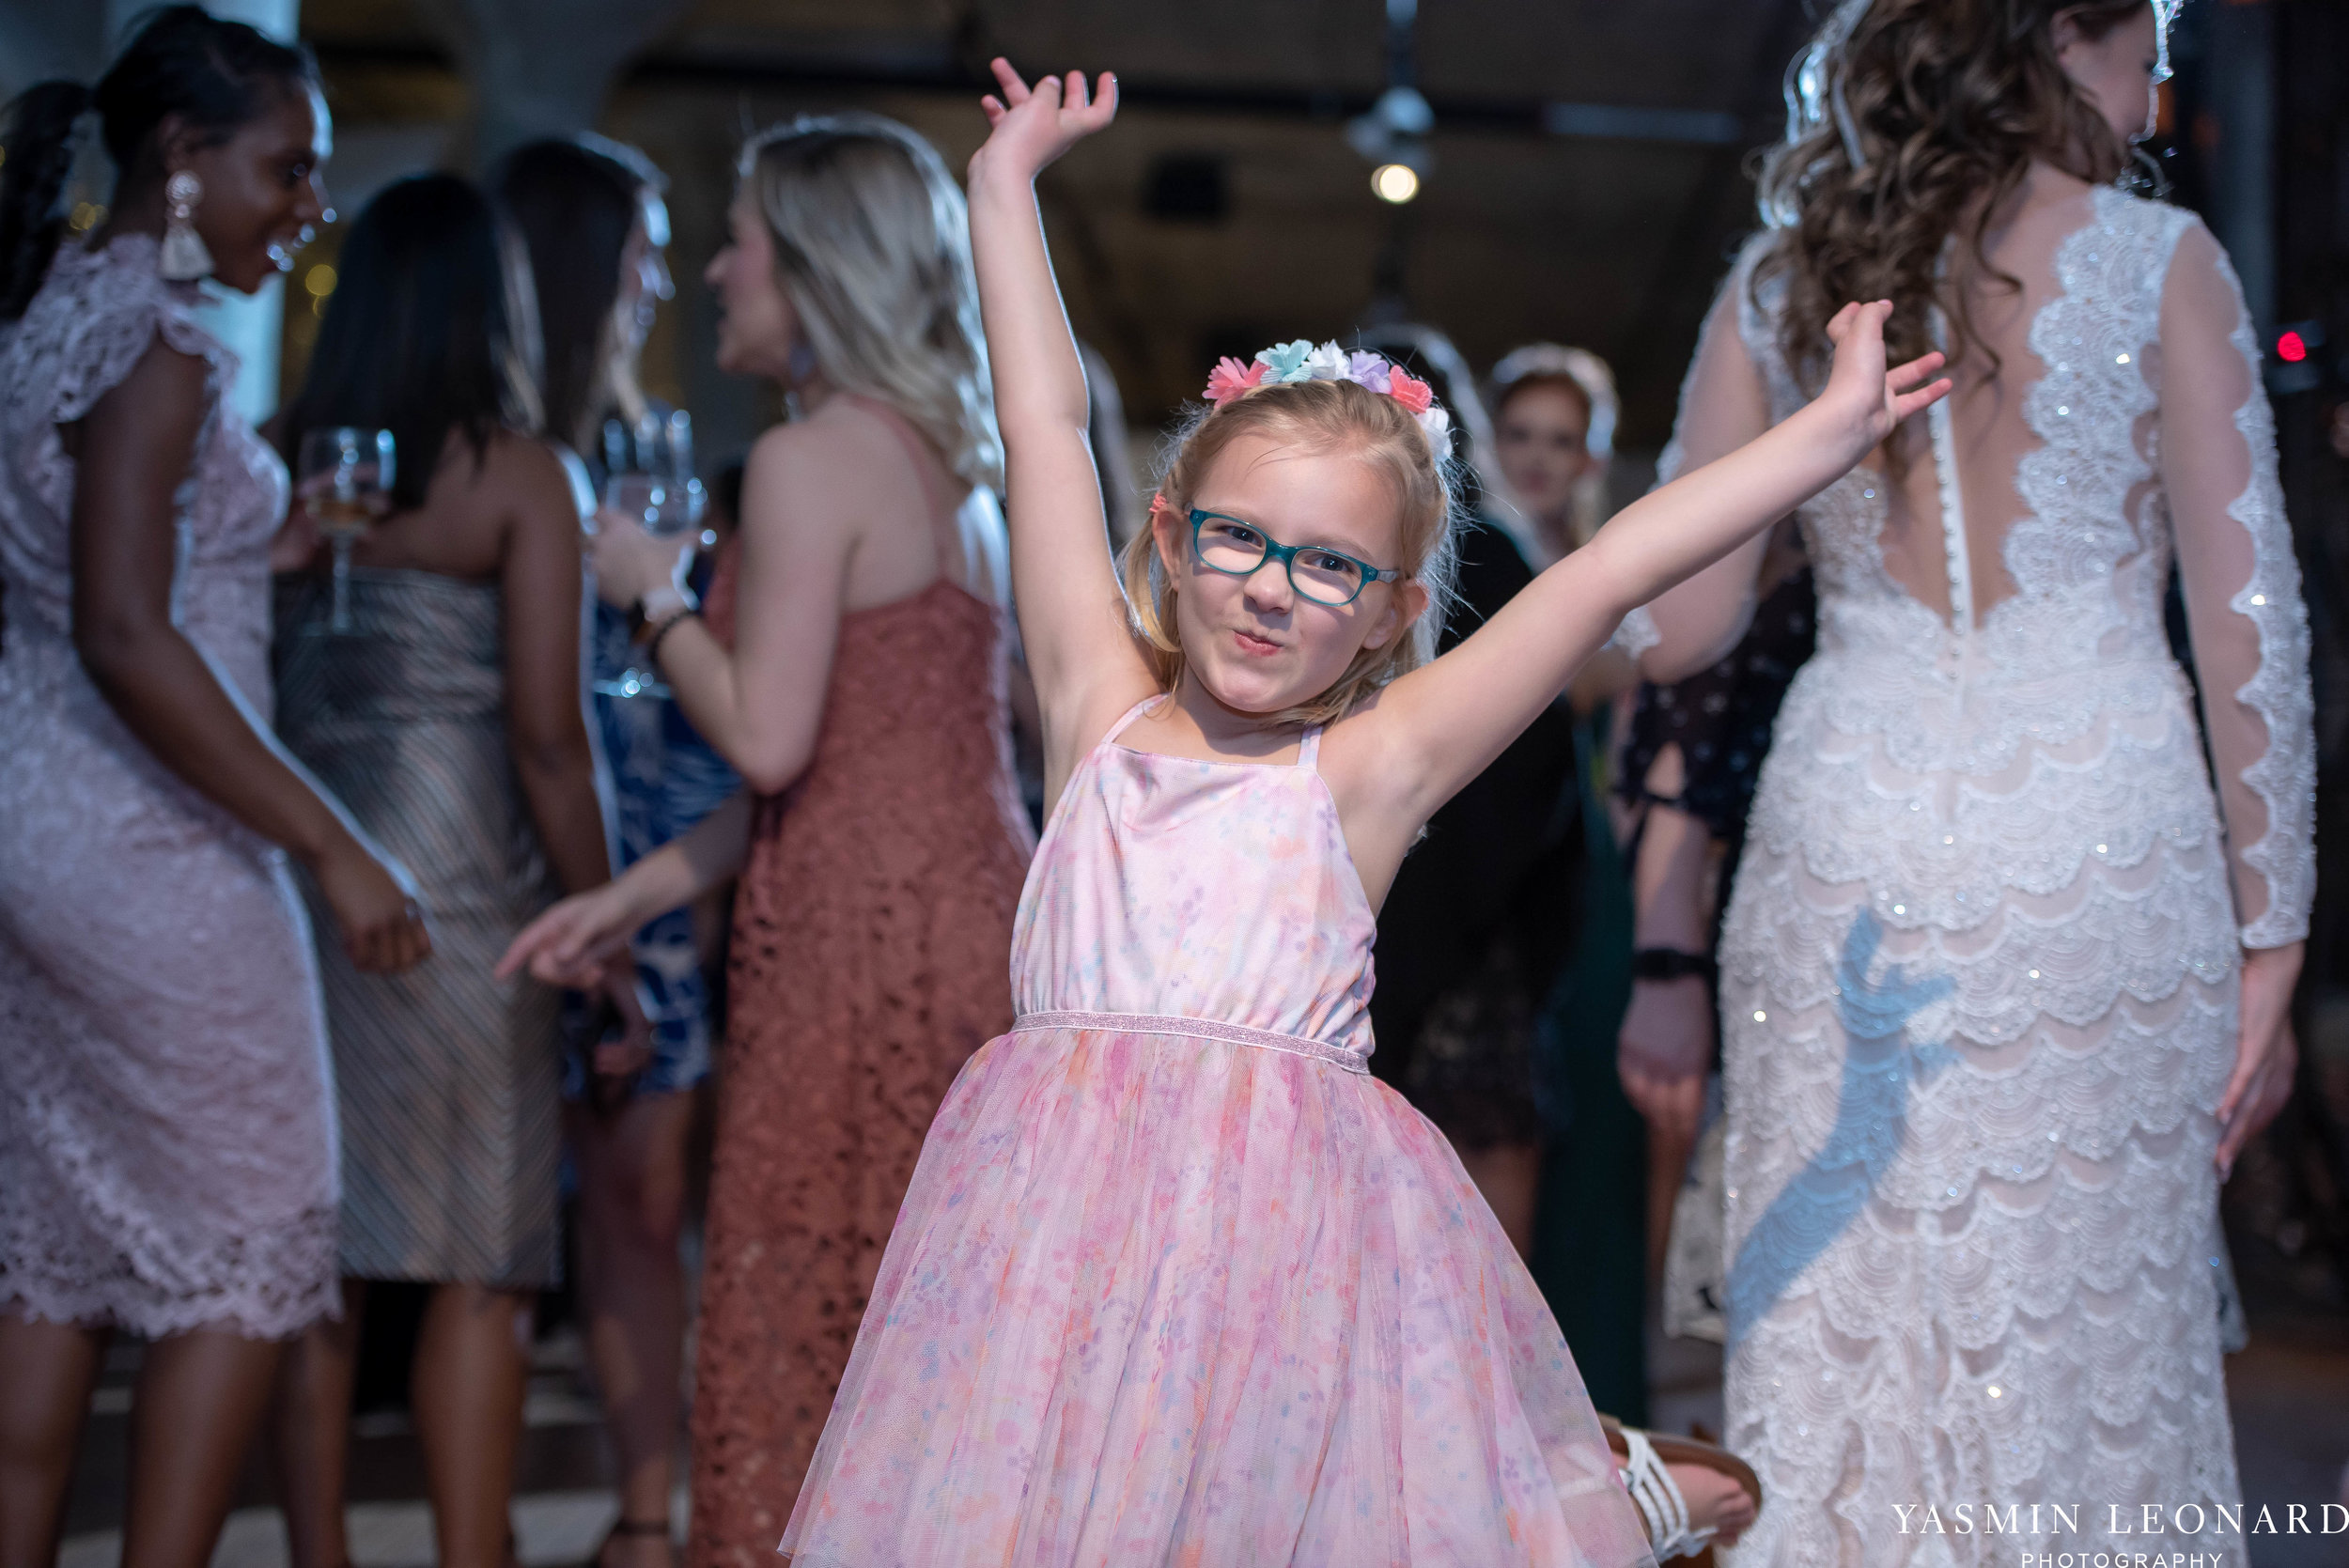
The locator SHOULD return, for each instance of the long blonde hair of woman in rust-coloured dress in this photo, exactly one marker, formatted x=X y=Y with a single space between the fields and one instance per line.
x=873 y=248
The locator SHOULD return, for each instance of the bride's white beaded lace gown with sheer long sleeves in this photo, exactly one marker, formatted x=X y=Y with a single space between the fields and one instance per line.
x=1979 y=973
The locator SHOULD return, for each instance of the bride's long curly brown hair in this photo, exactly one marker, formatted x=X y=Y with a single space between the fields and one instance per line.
x=1948 y=102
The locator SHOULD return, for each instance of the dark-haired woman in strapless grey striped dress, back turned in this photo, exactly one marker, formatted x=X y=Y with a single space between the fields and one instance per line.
x=452 y=717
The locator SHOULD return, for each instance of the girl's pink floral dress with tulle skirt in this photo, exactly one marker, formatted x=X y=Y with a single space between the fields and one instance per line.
x=1178 y=1280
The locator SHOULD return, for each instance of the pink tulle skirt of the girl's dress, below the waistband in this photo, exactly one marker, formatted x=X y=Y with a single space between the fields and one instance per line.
x=1159 y=1299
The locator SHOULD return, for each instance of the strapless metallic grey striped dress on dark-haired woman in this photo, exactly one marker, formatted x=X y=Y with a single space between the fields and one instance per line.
x=447 y=1076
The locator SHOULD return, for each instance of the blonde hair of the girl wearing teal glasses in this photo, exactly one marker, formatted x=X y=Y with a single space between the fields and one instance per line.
x=1321 y=417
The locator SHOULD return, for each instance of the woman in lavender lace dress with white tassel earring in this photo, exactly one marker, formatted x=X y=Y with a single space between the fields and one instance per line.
x=166 y=1116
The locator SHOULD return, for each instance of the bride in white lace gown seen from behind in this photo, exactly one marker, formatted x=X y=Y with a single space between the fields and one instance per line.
x=2003 y=982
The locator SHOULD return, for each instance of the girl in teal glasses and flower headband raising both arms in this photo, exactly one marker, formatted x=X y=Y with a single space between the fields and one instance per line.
x=1178 y=1280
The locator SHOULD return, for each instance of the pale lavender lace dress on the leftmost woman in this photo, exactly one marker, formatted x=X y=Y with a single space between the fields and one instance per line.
x=166 y=1111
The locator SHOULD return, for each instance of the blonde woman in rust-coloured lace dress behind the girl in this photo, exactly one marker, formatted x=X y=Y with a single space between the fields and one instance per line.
x=854 y=673
